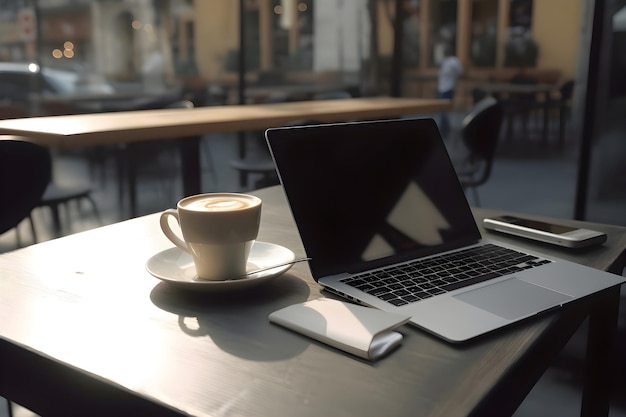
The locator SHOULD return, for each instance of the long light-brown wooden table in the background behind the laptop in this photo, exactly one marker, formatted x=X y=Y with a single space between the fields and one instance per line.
x=189 y=124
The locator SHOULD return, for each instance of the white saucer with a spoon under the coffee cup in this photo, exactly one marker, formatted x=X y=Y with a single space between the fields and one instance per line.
x=176 y=267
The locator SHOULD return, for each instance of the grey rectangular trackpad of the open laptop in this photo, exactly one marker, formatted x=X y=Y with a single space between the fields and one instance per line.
x=513 y=298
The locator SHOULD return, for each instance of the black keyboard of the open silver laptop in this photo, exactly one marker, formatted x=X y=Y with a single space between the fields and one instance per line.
x=421 y=279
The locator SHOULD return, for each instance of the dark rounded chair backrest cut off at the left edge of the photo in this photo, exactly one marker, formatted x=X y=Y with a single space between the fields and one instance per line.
x=25 y=171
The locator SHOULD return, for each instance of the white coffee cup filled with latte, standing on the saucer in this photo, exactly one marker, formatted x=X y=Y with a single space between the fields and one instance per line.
x=218 y=231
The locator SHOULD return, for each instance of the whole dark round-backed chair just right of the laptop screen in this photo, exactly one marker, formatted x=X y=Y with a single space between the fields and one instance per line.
x=480 y=133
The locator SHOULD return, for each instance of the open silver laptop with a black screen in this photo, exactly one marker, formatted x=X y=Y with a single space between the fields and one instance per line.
x=386 y=223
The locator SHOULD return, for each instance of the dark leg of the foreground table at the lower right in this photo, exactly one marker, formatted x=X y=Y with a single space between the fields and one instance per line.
x=601 y=356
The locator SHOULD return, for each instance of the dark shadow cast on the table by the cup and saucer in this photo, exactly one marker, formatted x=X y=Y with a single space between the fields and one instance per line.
x=238 y=322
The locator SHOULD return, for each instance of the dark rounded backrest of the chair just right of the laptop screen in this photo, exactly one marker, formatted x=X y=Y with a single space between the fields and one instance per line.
x=481 y=131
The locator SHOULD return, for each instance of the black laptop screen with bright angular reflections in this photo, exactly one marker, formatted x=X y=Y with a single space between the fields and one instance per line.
x=366 y=194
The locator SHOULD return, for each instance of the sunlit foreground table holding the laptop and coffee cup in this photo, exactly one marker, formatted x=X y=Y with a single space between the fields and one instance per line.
x=85 y=330
